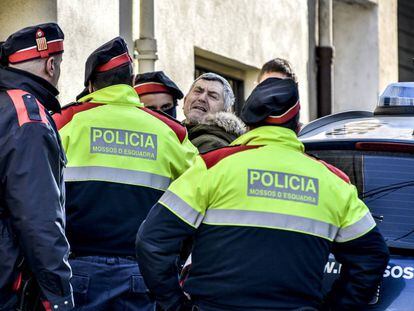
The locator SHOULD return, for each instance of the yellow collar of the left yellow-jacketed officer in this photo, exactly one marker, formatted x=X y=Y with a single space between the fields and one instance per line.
x=119 y=94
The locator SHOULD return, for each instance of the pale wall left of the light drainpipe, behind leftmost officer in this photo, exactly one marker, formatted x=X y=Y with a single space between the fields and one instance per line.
x=86 y=24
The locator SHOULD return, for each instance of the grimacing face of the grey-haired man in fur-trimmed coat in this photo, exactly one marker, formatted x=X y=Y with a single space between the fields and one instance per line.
x=205 y=97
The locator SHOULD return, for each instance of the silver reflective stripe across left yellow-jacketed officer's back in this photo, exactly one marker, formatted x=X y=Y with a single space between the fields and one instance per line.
x=116 y=175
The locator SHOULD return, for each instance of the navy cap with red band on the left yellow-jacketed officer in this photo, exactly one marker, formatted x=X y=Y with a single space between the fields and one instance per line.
x=112 y=54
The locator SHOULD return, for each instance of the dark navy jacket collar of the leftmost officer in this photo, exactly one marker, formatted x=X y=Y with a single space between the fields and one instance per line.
x=12 y=78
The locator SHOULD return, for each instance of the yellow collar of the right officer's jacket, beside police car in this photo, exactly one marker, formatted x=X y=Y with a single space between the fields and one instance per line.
x=270 y=135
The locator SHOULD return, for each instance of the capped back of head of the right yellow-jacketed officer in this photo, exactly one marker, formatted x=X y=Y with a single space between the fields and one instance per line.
x=274 y=102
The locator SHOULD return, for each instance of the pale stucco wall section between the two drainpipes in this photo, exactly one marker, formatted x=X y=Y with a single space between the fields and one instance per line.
x=251 y=32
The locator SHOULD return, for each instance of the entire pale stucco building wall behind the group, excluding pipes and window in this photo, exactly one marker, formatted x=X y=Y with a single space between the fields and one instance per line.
x=239 y=33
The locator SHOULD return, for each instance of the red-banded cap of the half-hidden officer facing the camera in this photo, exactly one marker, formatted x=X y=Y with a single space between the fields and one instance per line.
x=156 y=82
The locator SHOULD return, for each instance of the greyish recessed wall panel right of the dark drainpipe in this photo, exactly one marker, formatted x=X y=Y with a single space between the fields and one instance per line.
x=356 y=72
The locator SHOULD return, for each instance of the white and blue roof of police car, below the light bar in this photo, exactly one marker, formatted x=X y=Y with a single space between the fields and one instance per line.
x=360 y=126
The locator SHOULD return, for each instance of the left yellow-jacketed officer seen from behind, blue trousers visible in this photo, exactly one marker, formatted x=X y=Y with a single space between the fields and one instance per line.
x=121 y=158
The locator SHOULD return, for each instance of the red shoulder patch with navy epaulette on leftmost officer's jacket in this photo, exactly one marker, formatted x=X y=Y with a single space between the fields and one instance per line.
x=28 y=108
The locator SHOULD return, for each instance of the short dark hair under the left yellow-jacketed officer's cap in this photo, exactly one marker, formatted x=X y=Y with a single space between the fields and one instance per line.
x=118 y=75
